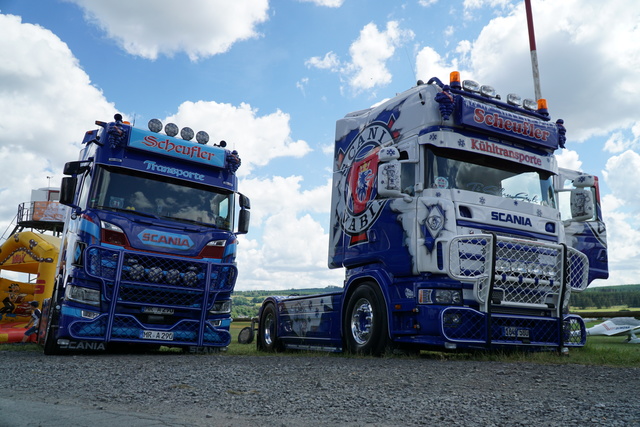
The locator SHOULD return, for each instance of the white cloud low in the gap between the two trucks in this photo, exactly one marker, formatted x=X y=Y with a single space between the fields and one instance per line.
x=292 y=251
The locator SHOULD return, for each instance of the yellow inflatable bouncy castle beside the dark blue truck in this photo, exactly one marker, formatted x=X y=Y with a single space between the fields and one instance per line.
x=35 y=254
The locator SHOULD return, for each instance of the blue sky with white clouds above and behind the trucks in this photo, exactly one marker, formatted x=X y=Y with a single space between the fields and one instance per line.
x=272 y=77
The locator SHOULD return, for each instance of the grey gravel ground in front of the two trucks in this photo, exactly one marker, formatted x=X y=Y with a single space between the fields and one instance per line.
x=292 y=390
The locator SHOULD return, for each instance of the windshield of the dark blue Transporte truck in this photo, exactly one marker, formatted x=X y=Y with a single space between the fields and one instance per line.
x=122 y=190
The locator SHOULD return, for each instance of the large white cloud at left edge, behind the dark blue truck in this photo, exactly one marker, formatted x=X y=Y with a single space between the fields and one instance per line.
x=47 y=102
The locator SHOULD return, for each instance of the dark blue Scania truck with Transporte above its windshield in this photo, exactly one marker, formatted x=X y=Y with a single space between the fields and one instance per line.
x=149 y=244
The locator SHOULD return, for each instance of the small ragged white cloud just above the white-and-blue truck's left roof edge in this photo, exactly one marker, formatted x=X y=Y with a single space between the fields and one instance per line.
x=367 y=68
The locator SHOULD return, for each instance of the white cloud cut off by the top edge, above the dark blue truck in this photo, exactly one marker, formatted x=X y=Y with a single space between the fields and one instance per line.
x=200 y=28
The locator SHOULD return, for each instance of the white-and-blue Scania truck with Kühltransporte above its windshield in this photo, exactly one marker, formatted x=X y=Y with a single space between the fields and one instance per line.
x=455 y=227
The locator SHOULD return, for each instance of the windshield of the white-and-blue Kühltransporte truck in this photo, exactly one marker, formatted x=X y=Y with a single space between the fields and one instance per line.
x=452 y=169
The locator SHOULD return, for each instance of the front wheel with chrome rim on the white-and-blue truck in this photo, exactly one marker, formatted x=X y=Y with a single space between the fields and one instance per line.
x=365 y=327
